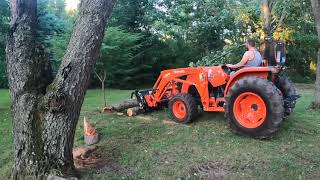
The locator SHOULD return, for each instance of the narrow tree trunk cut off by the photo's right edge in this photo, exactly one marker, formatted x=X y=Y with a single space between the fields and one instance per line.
x=316 y=11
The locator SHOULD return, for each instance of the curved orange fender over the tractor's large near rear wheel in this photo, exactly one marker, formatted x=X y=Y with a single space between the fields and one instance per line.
x=261 y=72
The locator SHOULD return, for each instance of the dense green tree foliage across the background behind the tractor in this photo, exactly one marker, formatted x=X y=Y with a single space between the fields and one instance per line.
x=174 y=33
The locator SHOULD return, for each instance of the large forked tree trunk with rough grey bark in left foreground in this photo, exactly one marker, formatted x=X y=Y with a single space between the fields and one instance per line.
x=45 y=116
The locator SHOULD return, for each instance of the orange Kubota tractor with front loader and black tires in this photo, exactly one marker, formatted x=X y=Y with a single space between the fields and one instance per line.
x=255 y=100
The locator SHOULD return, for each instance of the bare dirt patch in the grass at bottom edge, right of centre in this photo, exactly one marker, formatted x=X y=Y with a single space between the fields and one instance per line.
x=212 y=170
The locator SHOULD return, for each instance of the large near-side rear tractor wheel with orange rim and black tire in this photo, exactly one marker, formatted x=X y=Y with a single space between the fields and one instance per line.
x=254 y=107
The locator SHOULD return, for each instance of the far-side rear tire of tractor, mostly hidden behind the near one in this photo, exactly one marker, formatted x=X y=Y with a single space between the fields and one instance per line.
x=288 y=89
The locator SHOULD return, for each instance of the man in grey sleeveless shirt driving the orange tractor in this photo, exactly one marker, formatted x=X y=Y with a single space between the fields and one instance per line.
x=251 y=58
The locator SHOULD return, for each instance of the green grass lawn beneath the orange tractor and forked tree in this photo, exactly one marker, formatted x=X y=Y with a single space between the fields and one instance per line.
x=146 y=147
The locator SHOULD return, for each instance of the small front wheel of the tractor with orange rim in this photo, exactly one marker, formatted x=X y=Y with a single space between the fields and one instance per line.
x=183 y=108
